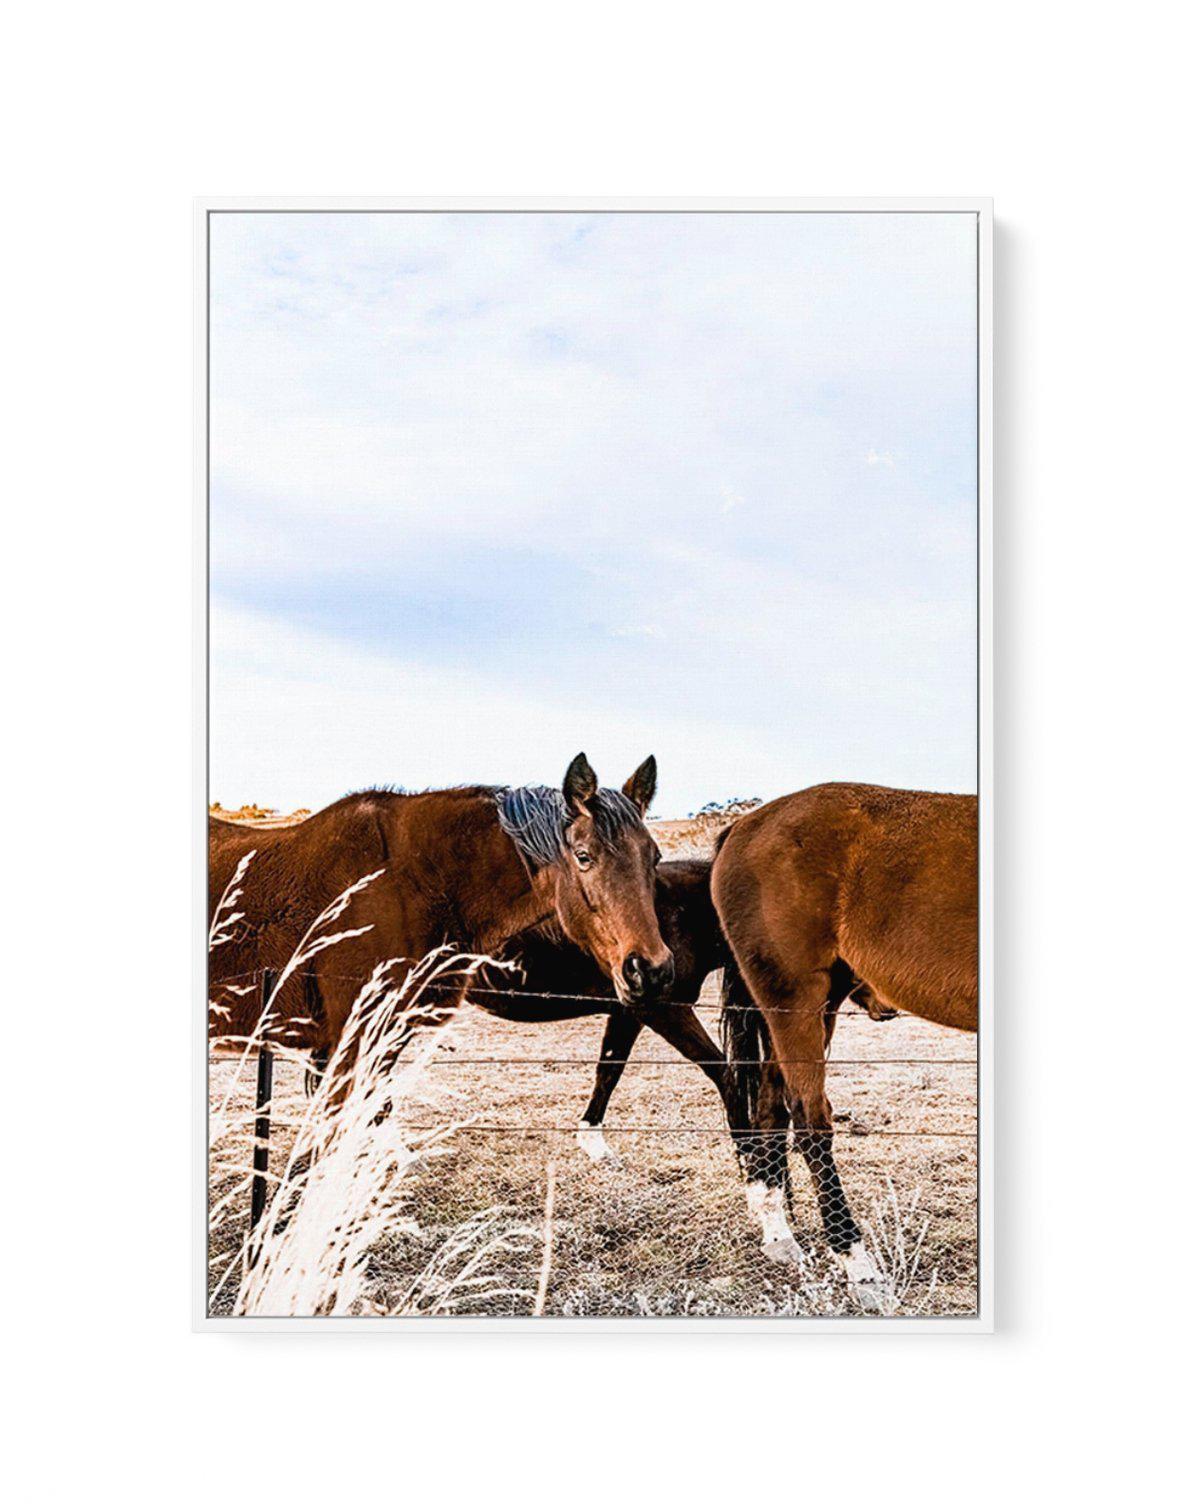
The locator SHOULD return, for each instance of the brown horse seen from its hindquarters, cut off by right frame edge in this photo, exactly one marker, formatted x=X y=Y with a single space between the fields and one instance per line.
x=832 y=893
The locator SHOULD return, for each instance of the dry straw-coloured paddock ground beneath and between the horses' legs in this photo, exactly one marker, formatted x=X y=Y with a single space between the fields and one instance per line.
x=664 y=1232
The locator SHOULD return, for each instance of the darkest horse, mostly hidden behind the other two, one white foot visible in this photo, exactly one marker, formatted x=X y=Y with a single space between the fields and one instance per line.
x=572 y=987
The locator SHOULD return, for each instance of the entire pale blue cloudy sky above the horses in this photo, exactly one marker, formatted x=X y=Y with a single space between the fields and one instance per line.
x=492 y=489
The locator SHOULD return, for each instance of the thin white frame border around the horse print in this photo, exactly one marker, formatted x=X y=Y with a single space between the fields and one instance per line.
x=985 y=1321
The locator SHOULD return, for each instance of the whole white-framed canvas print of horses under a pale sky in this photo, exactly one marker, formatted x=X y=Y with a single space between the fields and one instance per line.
x=593 y=805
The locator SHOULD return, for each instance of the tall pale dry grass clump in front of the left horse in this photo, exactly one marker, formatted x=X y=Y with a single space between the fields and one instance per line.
x=344 y=1179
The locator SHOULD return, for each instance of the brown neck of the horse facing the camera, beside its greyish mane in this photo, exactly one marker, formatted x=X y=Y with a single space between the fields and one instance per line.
x=495 y=893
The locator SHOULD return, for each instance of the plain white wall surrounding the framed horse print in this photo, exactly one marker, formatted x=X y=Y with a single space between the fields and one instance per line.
x=1075 y=120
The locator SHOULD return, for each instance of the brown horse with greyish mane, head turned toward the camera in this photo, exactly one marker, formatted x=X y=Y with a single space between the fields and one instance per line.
x=465 y=867
